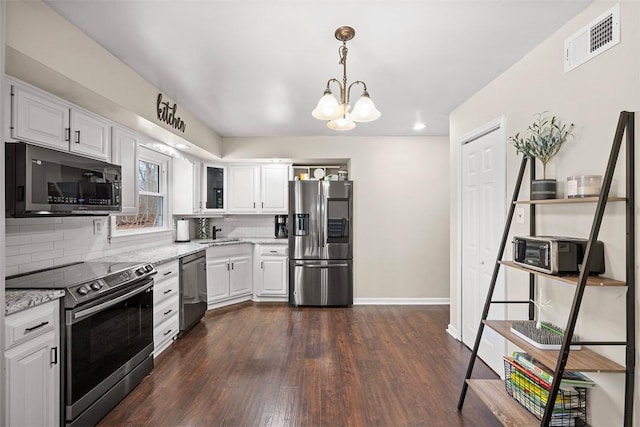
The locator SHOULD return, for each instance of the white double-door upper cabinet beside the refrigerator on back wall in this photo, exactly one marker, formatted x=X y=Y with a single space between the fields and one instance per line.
x=258 y=188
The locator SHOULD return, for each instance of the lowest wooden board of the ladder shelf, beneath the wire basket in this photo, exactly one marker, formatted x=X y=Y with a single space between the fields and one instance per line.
x=506 y=409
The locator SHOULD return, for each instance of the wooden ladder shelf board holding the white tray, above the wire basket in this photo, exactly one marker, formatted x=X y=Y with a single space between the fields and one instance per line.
x=583 y=360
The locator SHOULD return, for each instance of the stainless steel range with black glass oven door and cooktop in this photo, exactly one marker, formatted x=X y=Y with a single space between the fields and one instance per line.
x=107 y=338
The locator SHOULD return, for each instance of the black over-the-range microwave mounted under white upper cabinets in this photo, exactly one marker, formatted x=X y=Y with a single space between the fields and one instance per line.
x=40 y=181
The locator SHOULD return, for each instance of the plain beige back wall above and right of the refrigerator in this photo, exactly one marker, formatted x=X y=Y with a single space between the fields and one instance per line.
x=401 y=211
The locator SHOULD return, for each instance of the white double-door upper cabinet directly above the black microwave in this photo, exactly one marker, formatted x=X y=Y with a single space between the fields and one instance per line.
x=43 y=119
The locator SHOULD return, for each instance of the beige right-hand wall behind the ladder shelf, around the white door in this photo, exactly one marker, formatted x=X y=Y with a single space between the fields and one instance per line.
x=592 y=97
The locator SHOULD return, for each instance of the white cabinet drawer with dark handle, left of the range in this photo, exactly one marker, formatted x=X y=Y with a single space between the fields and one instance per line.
x=30 y=323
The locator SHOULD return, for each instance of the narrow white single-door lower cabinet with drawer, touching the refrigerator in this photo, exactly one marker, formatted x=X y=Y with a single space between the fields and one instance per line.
x=271 y=273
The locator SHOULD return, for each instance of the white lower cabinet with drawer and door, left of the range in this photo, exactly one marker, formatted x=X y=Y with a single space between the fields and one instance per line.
x=32 y=366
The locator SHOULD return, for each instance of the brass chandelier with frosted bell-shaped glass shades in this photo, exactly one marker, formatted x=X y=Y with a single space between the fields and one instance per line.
x=339 y=114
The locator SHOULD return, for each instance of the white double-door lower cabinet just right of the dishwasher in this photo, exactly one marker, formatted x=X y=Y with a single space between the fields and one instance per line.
x=229 y=274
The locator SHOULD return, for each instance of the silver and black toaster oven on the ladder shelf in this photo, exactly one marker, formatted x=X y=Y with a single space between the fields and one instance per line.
x=557 y=255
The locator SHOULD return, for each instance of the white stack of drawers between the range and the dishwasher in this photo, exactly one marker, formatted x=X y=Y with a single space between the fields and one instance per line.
x=166 y=306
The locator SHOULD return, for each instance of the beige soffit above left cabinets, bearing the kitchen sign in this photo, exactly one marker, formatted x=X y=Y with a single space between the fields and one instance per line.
x=47 y=51
